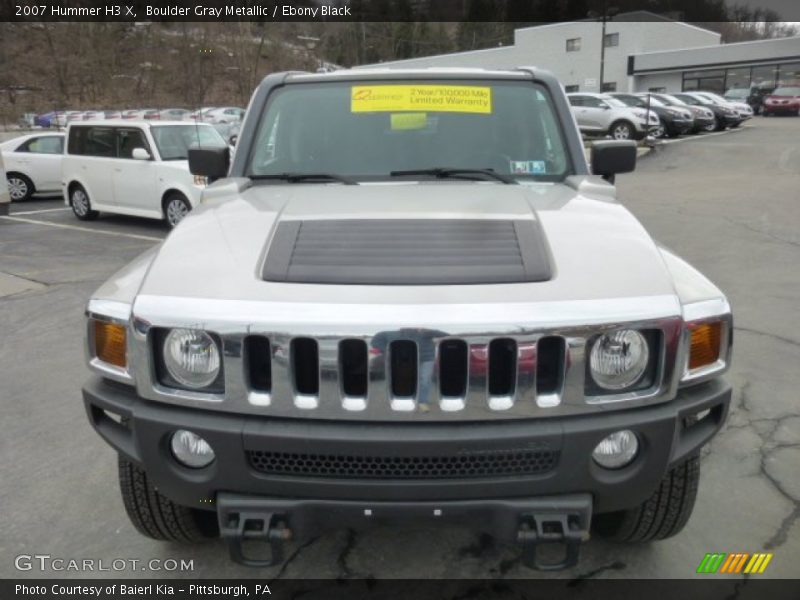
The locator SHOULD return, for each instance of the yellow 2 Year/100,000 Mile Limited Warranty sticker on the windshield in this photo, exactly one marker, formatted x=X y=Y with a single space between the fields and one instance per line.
x=431 y=98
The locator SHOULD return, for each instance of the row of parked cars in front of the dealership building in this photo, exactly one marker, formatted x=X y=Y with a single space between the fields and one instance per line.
x=626 y=116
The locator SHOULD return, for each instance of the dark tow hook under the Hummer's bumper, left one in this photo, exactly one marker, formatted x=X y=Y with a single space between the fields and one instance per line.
x=237 y=528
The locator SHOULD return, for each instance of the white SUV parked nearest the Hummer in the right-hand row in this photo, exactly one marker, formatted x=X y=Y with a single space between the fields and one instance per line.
x=601 y=114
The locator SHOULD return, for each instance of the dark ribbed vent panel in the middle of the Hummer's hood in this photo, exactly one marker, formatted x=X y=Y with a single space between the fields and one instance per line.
x=407 y=252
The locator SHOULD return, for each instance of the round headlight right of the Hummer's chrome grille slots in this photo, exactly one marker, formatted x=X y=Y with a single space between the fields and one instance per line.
x=619 y=359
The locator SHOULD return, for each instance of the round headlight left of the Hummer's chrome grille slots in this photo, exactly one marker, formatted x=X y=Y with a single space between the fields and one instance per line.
x=191 y=357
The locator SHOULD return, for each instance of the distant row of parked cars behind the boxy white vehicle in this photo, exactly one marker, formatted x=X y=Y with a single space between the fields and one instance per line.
x=206 y=114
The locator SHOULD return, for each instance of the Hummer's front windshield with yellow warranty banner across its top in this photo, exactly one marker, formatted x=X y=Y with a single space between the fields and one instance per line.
x=367 y=130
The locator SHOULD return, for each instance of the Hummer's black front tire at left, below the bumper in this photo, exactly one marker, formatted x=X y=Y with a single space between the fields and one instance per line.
x=156 y=516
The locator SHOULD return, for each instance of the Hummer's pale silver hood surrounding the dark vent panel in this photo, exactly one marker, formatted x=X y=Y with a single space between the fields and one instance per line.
x=595 y=248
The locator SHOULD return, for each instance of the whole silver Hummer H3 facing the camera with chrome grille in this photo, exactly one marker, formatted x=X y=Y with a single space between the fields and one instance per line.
x=406 y=295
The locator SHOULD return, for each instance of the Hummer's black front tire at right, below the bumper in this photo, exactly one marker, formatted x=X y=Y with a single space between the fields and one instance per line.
x=662 y=515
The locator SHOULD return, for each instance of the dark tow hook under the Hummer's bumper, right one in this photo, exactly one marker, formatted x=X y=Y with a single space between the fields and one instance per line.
x=538 y=529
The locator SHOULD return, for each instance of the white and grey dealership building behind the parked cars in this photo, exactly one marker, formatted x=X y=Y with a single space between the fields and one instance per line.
x=643 y=52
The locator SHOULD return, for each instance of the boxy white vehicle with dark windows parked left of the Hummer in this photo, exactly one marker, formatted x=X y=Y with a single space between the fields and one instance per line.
x=134 y=168
